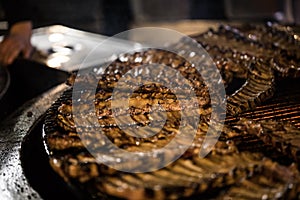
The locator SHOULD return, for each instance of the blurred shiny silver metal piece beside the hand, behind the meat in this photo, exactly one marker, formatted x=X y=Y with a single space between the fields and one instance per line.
x=66 y=48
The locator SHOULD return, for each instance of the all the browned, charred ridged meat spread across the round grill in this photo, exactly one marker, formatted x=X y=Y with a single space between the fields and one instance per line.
x=250 y=160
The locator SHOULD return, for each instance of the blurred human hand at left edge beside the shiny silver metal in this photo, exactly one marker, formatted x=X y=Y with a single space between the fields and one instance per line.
x=16 y=43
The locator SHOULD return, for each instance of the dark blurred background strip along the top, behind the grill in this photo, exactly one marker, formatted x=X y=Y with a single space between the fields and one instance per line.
x=109 y=17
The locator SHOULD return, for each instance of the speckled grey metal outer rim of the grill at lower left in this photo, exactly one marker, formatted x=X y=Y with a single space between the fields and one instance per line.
x=13 y=182
